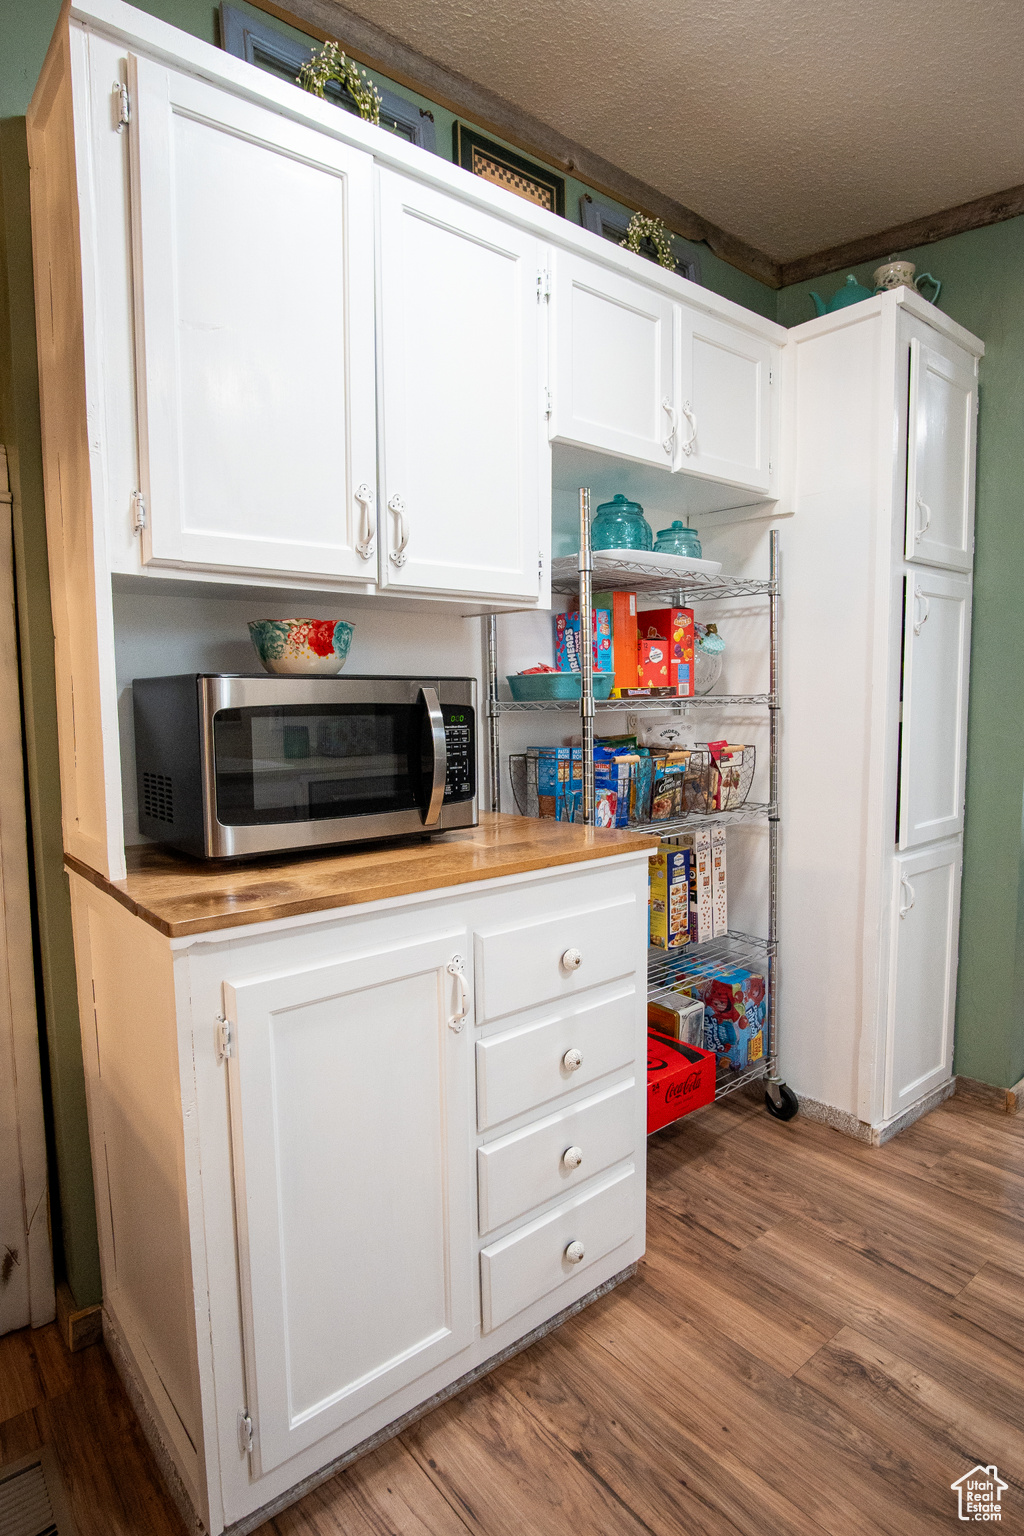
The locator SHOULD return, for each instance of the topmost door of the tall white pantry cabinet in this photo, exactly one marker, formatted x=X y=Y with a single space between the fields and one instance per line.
x=942 y=437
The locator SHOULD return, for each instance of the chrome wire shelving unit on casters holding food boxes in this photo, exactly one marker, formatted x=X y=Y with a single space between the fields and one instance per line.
x=575 y=577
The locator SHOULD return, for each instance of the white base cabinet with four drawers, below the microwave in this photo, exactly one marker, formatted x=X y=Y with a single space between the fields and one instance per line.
x=329 y=1182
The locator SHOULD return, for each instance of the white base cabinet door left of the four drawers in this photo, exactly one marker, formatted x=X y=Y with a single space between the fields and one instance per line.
x=351 y=1104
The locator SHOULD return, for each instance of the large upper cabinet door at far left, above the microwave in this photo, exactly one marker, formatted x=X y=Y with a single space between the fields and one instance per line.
x=254 y=308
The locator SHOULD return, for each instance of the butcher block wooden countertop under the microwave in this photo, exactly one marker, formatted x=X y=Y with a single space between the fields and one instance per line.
x=182 y=896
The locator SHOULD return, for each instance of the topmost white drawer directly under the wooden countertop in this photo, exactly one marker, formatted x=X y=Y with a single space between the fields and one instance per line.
x=557 y=955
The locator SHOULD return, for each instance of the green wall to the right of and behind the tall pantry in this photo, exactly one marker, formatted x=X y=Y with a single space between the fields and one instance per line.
x=983 y=290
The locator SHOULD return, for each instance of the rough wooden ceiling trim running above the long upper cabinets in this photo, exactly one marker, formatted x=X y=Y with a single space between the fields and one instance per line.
x=371 y=45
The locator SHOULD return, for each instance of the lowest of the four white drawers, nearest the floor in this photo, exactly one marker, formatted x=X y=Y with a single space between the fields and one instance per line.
x=533 y=1262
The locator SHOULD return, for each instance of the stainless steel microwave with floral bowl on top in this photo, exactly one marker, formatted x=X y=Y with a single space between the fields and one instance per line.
x=233 y=766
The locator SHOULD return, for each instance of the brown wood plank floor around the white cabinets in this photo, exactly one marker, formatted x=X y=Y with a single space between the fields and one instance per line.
x=821 y=1340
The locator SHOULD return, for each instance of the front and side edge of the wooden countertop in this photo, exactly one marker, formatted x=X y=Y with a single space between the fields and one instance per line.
x=273 y=910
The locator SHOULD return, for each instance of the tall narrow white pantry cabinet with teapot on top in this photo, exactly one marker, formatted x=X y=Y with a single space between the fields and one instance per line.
x=884 y=425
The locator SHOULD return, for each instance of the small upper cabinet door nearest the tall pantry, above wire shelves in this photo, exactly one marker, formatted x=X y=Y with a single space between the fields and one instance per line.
x=725 y=403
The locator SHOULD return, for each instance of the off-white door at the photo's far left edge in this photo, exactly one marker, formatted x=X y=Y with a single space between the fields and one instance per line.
x=27 y=1274
